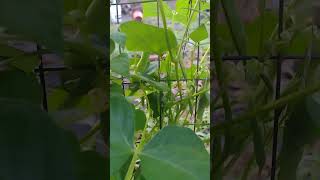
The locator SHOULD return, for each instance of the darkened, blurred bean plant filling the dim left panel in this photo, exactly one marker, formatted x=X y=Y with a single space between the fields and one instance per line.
x=38 y=109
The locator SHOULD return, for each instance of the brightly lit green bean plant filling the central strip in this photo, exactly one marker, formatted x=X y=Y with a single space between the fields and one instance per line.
x=154 y=129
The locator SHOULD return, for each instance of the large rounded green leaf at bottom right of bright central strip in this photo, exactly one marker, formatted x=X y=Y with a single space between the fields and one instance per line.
x=181 y=157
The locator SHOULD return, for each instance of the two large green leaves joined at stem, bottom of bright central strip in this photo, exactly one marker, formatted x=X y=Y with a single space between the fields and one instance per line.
x=182 y=157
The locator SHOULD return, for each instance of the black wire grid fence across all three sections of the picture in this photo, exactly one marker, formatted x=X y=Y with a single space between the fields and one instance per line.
x=41 y=72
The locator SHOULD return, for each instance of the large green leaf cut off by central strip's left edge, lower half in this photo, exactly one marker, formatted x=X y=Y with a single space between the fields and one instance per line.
x=122 y=132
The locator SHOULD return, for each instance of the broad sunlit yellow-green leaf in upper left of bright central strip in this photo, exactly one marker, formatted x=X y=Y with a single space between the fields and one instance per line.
x=148 y=38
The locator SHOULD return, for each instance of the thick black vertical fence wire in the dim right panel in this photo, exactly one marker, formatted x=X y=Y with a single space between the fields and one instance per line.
x=277 y=112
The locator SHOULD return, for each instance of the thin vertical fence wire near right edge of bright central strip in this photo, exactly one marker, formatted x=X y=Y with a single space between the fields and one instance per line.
x=196 y=80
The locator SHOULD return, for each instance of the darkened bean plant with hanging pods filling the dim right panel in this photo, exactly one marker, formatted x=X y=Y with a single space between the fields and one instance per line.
x=246 y=123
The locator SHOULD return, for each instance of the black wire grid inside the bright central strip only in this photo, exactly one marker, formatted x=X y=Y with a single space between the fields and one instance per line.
x=159 y=62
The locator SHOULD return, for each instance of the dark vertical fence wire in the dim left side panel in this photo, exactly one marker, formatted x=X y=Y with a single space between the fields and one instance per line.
x=42 y=81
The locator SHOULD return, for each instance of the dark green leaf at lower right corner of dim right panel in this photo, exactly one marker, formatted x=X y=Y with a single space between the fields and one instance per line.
x=302 y=128
